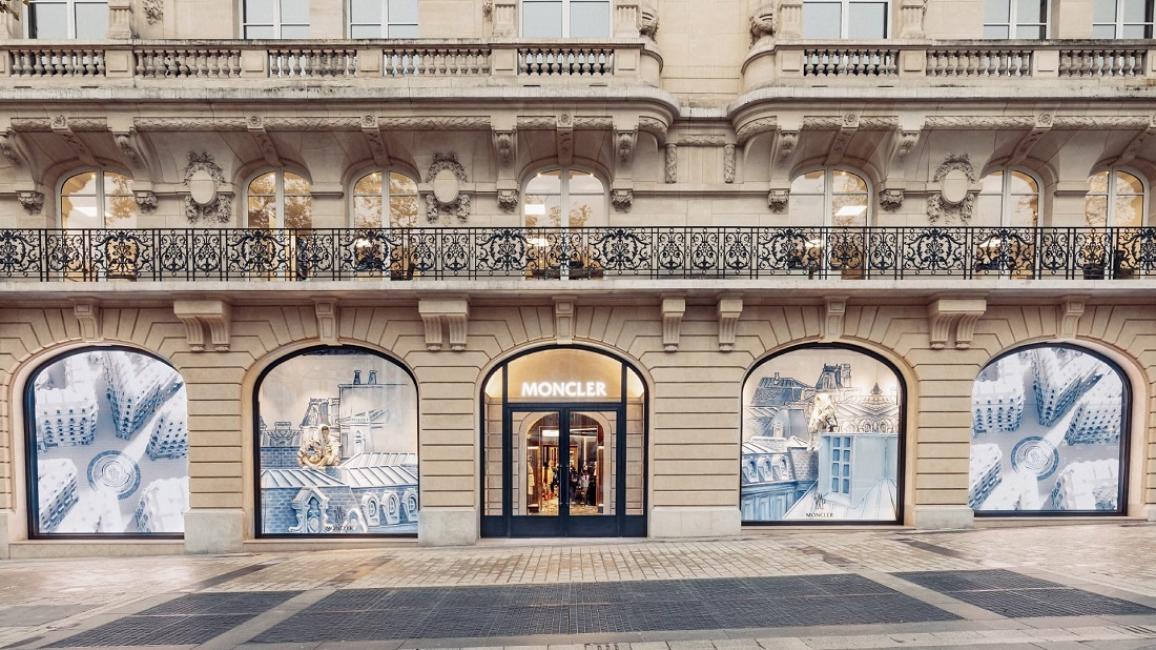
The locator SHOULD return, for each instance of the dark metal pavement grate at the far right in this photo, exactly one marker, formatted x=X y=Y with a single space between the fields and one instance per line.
x=1018 y=596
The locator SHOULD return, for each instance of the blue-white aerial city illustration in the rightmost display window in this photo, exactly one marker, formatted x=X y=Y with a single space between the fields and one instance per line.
x=1047 y=434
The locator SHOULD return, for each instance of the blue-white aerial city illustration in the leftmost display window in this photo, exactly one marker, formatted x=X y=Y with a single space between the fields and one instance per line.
x=110 y=446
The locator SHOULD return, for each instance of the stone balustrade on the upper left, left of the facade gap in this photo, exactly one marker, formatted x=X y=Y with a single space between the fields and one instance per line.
x=631 y=61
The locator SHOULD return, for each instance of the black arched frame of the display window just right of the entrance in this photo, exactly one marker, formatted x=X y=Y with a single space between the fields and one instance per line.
x=901 y=430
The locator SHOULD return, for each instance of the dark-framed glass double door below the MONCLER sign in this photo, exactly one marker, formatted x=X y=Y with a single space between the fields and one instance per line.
x=564 y=479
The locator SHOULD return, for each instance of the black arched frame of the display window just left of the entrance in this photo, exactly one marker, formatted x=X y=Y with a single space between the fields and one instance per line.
x=256 y=433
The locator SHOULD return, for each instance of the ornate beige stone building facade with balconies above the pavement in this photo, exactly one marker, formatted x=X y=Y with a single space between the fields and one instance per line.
x=688 y=188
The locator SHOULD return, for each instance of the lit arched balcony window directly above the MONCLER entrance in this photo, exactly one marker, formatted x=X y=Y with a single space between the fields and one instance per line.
x=565 y=198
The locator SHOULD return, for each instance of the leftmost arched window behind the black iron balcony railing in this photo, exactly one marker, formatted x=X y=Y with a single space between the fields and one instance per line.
x=98 y=200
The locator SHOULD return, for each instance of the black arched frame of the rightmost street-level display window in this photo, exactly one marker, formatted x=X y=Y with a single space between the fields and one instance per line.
x=1127 y=429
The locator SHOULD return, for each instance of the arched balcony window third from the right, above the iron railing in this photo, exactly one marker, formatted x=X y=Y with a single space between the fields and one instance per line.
x=840 y=196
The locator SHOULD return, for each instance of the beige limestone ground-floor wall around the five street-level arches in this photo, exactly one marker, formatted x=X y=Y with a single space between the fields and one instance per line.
x=694 y=395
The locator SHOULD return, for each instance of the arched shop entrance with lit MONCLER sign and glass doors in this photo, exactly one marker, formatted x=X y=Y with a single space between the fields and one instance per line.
x=565 y=446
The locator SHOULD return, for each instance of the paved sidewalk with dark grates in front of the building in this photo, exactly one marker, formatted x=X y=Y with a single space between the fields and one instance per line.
x=1051 y=587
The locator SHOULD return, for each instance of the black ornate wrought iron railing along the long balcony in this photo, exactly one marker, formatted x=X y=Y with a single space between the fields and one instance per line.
x=577 y=254
